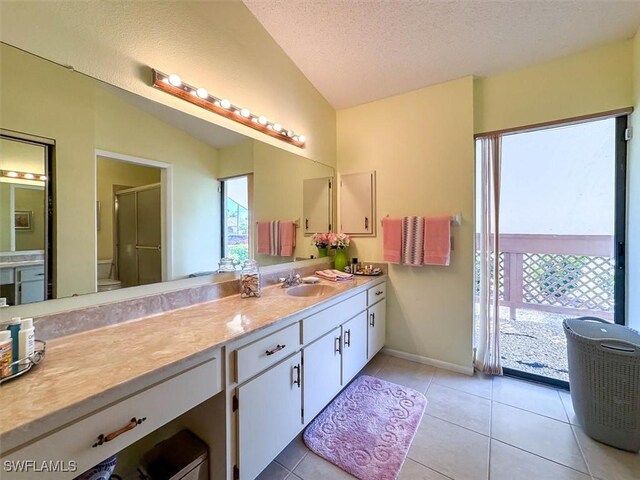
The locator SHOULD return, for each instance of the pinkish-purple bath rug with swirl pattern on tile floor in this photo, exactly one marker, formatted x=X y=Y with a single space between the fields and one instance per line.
x=367 y=429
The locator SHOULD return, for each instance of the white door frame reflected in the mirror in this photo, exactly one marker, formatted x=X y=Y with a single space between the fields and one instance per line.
x=166 y=210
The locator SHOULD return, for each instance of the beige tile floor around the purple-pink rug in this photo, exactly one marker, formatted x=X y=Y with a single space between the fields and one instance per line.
x=480 y=428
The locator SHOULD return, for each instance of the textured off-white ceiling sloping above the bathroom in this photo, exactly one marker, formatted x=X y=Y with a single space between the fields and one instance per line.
x=358 y=51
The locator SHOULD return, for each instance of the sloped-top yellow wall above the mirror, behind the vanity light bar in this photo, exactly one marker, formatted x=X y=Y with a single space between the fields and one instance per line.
x=216 y=44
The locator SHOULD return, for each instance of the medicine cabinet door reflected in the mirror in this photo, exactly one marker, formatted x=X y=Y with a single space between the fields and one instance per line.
x=316 y=204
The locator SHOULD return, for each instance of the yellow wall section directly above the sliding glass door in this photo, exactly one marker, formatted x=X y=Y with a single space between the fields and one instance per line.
x=594 y=81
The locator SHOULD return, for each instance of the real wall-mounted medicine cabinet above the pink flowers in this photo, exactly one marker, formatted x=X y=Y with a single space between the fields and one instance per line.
x=356 y=203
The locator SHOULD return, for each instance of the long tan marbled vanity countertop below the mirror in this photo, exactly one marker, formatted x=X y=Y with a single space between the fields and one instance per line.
x=90 y=370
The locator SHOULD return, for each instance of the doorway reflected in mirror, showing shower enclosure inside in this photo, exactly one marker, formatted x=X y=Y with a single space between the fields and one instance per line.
x=132 y=221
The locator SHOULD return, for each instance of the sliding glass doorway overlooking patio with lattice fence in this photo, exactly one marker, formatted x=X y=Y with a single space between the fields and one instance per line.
x=562 y=231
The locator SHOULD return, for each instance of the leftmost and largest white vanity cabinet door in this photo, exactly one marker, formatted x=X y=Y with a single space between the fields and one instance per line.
x=269 y=415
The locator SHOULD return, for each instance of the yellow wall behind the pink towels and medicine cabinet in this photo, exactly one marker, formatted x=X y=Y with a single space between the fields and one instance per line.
x=421 y=146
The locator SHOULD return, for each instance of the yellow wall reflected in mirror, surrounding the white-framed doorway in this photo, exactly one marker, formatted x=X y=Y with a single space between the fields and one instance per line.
x=82 y=116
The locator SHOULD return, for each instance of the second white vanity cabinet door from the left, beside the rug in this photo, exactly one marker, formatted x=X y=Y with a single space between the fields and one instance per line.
x=322 y=364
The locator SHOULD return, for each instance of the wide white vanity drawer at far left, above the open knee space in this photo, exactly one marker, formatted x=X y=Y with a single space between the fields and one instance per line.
x=158 y=405
